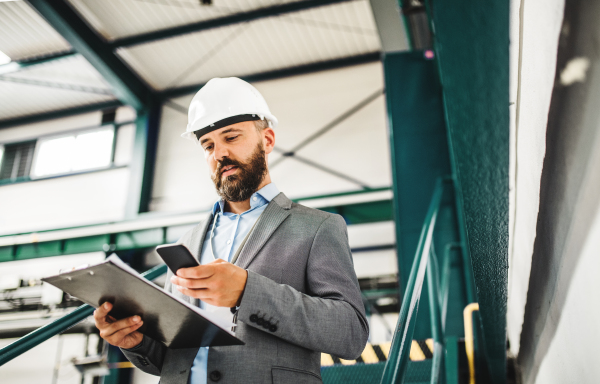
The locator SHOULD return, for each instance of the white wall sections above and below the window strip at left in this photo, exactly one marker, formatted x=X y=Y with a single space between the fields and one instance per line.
x=73 y=200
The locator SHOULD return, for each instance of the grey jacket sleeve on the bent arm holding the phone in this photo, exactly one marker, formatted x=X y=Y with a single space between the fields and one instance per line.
x=330 y=318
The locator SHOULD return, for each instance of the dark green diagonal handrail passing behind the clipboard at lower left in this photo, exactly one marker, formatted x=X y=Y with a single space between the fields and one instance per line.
x=44 y=333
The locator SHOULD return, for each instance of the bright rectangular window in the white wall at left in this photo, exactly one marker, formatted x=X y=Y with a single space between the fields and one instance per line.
x=77 y=152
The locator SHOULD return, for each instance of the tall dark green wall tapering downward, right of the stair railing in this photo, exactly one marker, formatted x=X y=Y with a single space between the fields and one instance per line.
x=471 y=43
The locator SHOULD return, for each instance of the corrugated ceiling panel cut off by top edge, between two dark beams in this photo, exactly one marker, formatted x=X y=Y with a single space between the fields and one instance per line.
x=119 y=18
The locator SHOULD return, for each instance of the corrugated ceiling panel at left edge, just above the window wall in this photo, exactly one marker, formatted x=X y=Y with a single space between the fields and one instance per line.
x=60 y=84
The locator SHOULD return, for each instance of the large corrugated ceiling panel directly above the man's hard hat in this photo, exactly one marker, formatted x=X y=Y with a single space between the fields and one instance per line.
x=309 y=36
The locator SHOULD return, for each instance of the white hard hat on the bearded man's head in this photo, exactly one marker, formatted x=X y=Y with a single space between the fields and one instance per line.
x=222 y=102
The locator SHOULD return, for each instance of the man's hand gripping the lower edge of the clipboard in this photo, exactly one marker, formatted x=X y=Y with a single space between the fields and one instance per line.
x=120 y=333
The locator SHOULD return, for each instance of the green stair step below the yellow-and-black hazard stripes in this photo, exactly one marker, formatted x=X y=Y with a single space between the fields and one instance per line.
x=418 y=372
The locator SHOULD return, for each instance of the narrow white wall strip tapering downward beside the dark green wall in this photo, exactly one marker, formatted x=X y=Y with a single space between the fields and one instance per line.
x=535 y=26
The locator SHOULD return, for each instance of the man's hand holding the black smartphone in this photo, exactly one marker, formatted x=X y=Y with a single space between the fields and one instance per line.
x=218 y=283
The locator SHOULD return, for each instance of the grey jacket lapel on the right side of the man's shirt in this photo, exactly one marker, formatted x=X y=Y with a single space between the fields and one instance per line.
x=275 y=213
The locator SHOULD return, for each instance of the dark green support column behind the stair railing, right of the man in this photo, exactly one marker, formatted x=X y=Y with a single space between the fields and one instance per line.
x=419 y=150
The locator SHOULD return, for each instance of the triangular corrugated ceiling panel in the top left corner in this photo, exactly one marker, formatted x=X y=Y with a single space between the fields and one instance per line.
x=24 y=34
